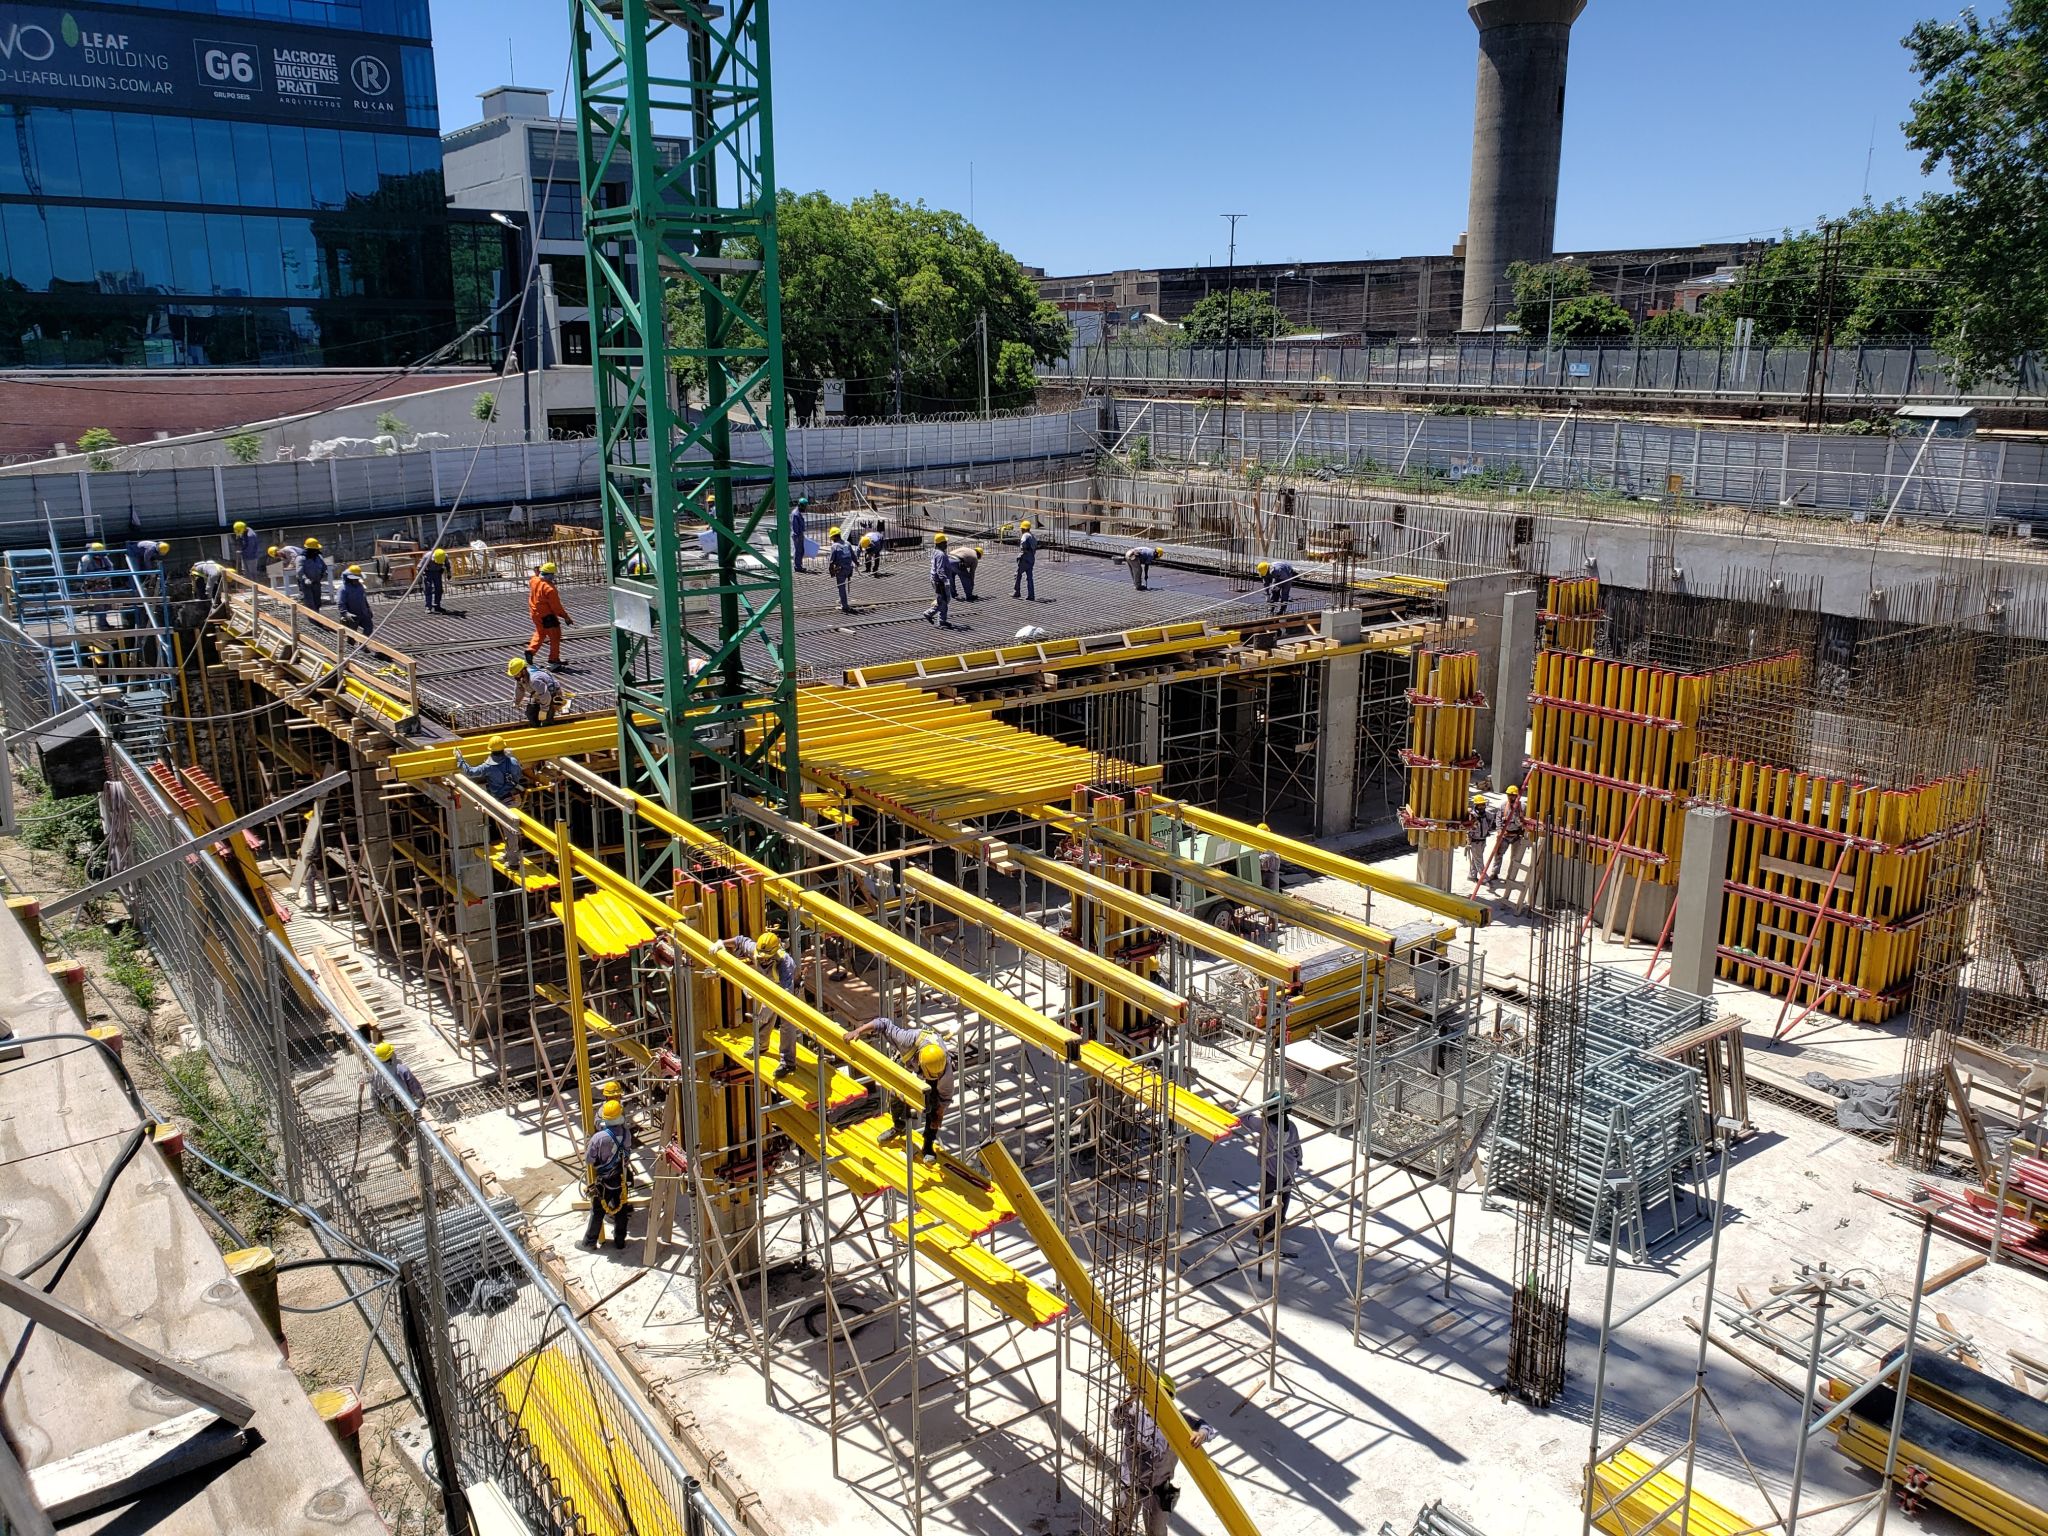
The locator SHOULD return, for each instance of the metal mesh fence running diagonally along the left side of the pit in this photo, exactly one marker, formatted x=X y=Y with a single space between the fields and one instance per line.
x=488 y=1345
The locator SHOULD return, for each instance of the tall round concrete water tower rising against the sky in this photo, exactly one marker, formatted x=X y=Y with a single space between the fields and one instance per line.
x=1519 y=132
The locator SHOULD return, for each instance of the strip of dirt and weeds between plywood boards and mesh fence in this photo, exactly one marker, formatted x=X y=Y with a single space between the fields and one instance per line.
x=329 y=1349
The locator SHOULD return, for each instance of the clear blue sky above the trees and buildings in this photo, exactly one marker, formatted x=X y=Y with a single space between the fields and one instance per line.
x=1113 y=132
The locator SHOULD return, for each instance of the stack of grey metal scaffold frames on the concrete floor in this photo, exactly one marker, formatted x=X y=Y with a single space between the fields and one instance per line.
x=1639 y=1132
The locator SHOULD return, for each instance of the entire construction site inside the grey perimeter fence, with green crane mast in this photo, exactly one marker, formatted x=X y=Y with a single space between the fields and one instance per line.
x=1476 y=976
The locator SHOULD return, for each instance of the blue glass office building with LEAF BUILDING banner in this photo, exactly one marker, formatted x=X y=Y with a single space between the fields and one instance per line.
x=228 y=183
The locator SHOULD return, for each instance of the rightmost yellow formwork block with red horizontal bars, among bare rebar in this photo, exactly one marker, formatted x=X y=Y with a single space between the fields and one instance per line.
x=1834 y=882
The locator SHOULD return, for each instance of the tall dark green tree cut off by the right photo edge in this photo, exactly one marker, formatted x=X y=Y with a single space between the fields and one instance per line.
x=1983 y=118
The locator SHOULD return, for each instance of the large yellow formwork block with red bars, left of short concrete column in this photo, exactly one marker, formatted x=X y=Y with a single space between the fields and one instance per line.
x=1615 y=749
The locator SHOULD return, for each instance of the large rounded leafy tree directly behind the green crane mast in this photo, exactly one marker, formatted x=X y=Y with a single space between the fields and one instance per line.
x=935 y=269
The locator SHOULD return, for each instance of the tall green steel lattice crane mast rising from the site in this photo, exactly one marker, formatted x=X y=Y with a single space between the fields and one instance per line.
x=675 y=95
